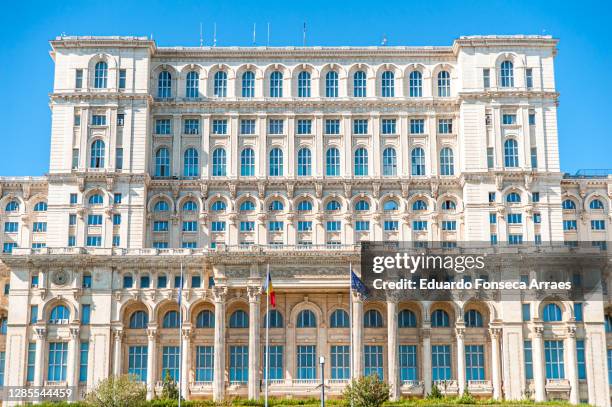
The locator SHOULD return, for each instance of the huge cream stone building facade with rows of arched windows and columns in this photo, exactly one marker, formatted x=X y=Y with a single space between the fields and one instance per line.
x=217 y=162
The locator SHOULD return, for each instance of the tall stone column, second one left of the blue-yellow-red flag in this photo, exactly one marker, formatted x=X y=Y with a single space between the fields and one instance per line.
x=219 y=293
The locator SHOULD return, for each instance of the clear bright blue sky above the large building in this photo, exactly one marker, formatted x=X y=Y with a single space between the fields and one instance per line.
x=582 y=66
